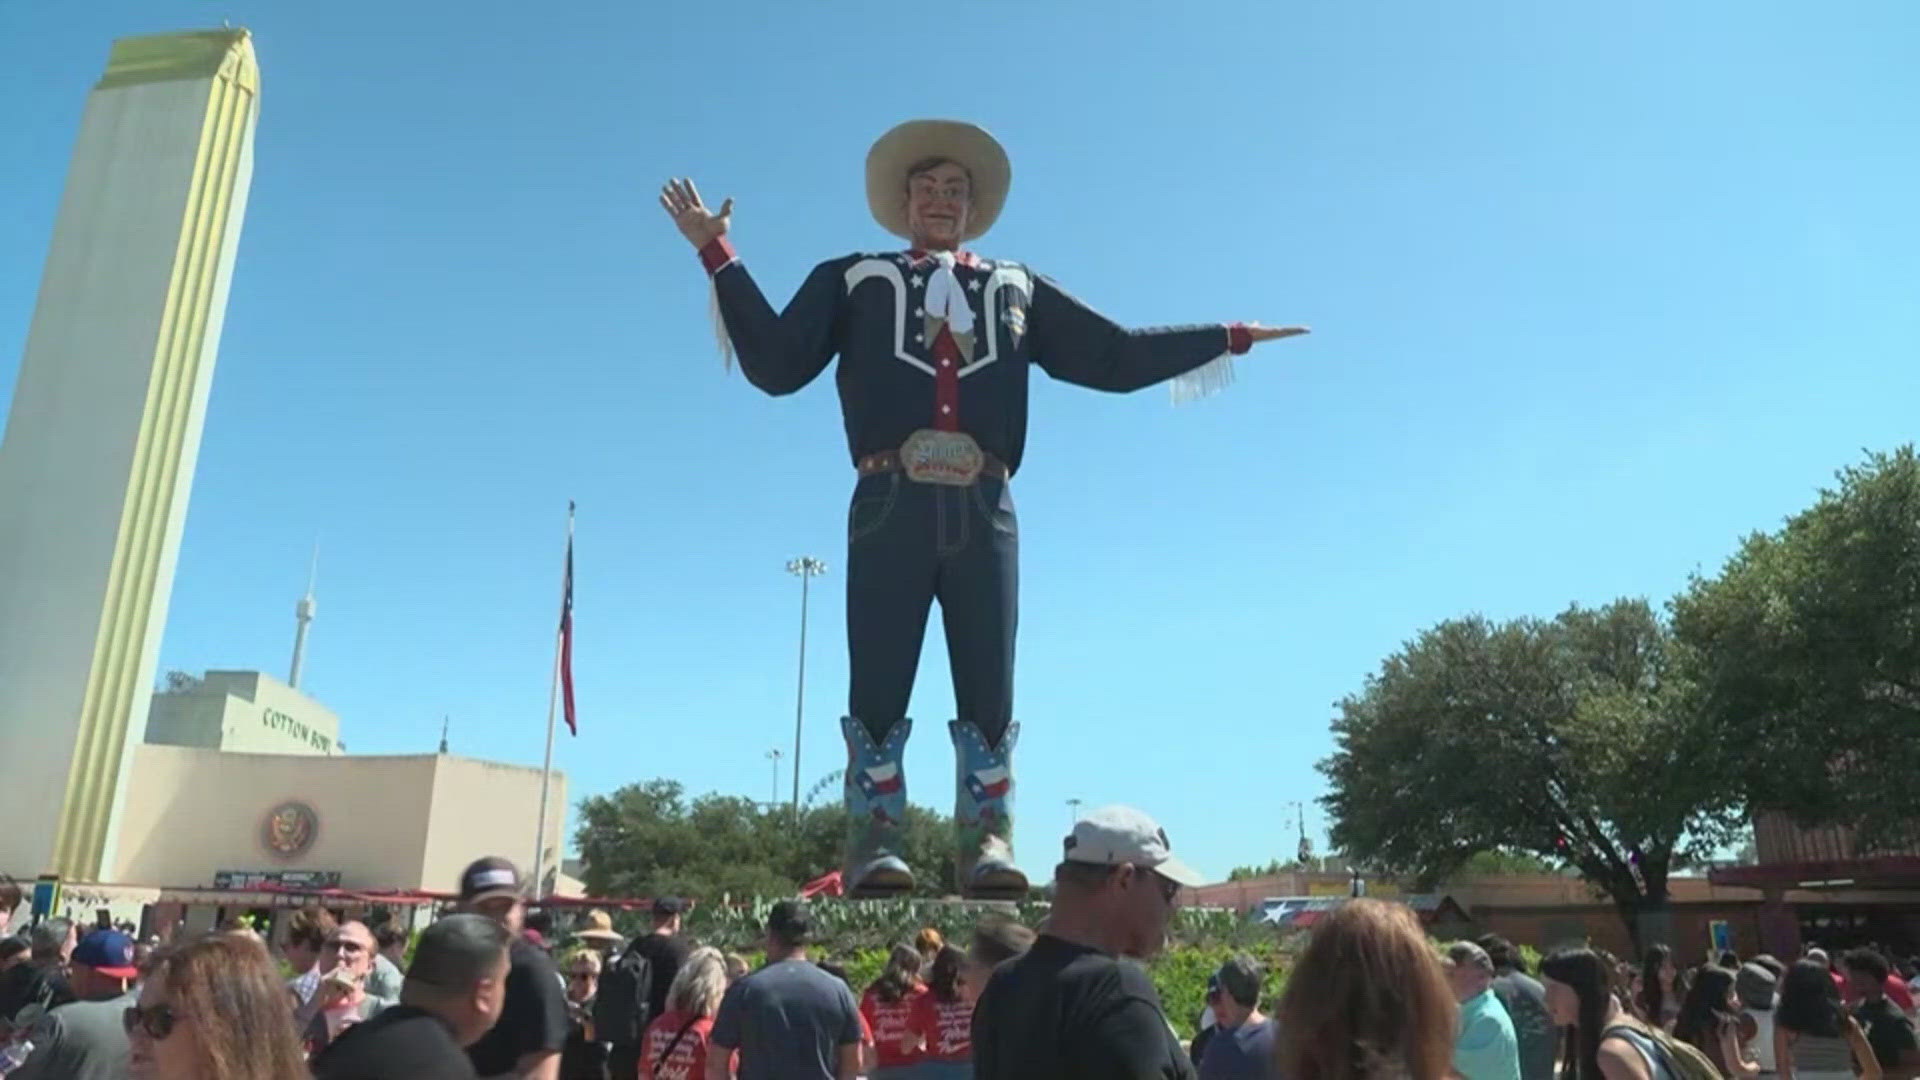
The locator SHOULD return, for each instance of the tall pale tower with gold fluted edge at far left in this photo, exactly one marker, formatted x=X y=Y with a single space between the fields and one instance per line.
x=105 y=430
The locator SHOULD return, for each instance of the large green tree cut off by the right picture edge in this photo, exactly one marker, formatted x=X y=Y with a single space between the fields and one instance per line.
x=1808 y=652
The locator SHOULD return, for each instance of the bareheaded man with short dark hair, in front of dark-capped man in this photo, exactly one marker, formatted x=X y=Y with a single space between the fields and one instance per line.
x=450 y=1000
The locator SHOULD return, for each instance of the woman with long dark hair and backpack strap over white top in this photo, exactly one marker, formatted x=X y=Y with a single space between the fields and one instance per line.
x=1602 y=1041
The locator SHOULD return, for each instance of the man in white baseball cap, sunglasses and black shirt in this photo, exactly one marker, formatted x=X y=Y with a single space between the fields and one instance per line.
x=1072 y=1008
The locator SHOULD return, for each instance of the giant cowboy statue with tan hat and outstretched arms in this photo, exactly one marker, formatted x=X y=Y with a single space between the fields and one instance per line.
x=934 y=349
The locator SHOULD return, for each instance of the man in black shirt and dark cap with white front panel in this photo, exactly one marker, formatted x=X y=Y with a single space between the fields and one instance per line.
x=533 y=1023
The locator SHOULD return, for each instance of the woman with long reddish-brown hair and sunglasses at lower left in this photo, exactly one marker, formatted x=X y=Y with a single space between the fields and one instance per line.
x=214 y=1010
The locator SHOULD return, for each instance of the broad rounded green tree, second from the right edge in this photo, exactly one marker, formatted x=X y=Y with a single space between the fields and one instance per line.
x=1572 y=741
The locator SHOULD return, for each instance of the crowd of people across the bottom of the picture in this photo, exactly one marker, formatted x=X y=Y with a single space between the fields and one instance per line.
x=485 y=993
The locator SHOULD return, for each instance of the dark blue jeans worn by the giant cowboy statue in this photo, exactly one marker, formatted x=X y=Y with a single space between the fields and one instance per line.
x=909 y=545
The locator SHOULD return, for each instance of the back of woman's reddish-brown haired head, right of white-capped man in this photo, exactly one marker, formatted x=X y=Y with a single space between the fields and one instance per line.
x=1368 y=1000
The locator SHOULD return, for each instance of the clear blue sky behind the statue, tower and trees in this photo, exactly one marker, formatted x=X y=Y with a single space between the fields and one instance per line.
x=1595 y=293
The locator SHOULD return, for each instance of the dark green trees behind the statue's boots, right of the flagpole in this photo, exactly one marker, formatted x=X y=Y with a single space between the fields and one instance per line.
x=650 y=841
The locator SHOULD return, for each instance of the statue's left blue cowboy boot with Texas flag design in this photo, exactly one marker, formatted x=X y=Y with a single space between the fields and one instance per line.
x=876 y=812
